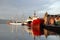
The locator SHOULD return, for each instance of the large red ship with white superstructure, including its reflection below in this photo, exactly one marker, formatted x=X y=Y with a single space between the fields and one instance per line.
x=34 y=26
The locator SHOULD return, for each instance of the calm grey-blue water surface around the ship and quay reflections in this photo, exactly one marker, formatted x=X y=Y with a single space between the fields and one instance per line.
x=10 y=32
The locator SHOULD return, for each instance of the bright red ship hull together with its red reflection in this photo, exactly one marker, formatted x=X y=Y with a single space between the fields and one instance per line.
x=35 y=25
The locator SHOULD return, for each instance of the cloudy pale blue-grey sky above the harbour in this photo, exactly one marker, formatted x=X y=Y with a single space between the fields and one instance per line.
x=25 y=8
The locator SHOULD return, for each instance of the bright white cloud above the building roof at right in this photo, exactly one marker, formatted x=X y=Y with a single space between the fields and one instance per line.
x=54 y=8
